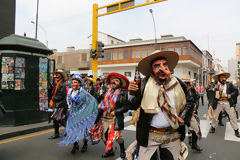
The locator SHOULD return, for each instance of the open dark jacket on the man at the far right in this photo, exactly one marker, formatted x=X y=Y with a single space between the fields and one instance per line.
x=231 y=89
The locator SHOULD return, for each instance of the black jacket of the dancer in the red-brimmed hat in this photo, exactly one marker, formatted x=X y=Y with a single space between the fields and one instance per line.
x=121 y=106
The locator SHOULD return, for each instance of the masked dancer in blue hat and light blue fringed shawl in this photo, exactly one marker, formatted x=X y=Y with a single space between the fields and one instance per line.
x=83 y=110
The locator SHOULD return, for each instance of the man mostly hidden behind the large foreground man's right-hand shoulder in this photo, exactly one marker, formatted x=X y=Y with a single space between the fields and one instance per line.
x=194 y=125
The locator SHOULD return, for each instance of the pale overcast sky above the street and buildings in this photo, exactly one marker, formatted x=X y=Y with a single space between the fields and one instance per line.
x=212 y=25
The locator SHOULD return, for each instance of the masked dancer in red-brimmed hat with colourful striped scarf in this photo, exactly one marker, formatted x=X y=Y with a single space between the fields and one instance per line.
x=113 y=104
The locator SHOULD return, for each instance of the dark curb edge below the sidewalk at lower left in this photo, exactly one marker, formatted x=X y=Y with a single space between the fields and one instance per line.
x=24 y=132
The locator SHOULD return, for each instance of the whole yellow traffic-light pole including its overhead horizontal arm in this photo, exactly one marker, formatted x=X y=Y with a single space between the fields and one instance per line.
x=110 y=9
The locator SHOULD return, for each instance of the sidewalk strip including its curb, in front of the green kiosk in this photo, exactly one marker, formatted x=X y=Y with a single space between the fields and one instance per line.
x=9 y=132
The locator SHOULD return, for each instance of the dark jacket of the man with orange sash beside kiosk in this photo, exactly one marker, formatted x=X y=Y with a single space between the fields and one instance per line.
x=60 y=98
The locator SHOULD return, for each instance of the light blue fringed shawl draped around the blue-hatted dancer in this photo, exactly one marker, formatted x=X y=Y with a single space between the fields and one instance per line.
x=81 y=118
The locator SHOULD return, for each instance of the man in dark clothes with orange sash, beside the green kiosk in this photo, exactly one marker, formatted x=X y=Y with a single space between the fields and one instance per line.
x=58 y=100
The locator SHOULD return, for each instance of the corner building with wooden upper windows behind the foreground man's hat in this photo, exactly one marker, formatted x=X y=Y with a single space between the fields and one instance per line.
x=124 y=57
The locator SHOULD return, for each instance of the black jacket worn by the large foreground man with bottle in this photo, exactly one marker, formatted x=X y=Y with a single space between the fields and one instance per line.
x=145 y=119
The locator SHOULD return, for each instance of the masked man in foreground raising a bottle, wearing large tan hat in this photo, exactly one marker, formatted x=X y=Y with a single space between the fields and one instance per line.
x=165 y=105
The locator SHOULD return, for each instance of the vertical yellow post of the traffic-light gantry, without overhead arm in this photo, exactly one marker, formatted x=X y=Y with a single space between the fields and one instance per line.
x=94 y=41
